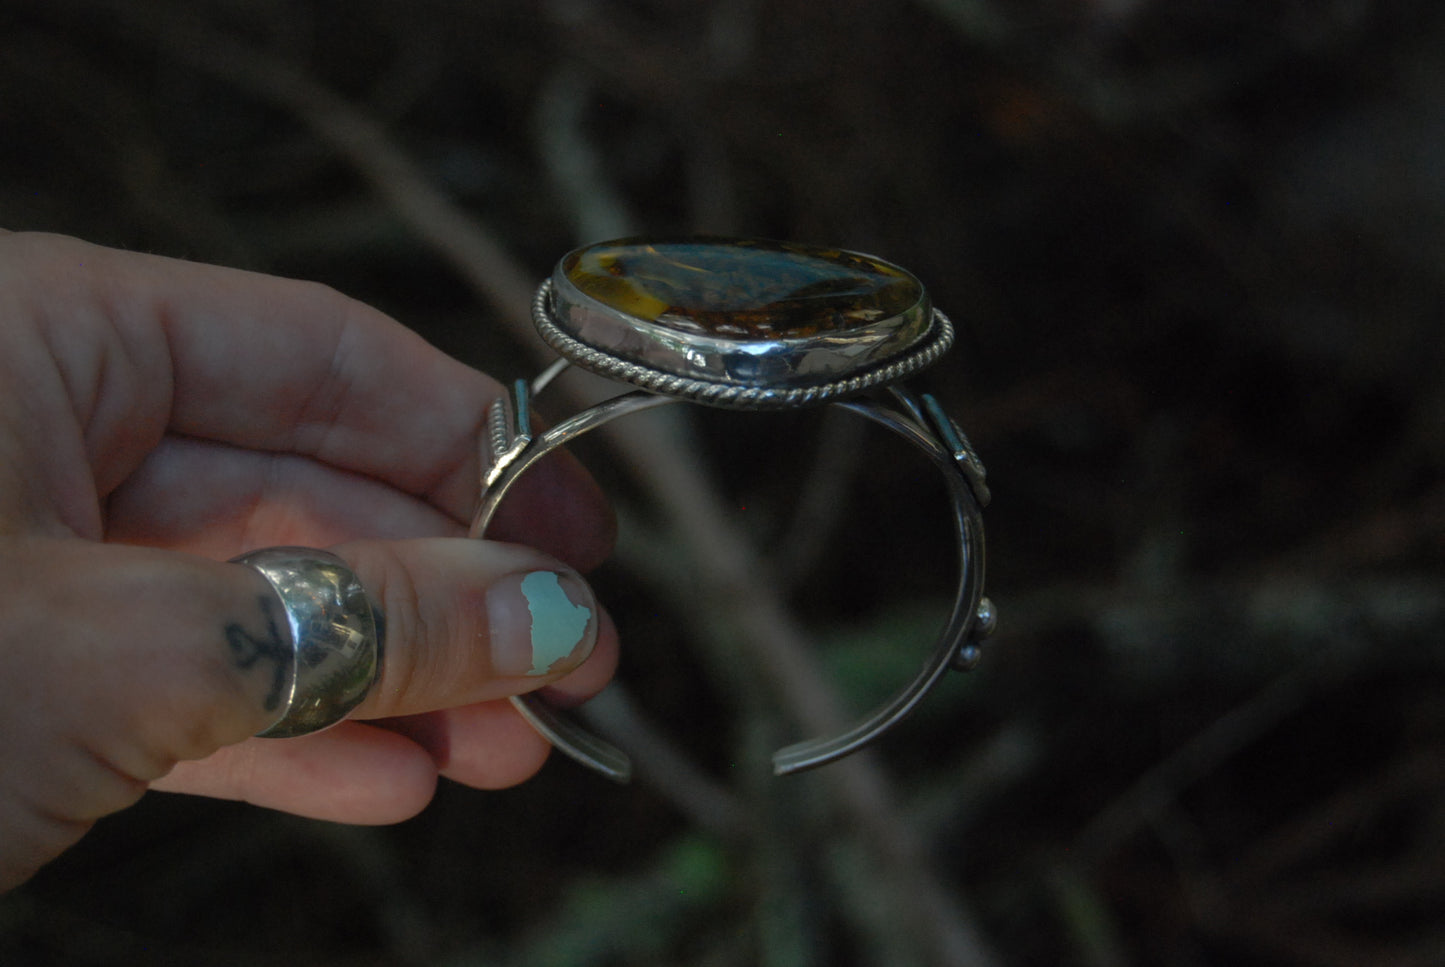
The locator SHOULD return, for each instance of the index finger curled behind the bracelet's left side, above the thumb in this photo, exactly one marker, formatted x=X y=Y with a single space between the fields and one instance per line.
x=280 y=366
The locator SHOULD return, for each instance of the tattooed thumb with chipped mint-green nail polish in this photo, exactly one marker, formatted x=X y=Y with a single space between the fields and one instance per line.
x=119 y=661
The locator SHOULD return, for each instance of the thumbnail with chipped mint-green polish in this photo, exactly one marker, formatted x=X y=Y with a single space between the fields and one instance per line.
x=541 y=622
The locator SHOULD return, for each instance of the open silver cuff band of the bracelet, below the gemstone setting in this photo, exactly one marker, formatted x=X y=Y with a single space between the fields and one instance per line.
x=917 y=418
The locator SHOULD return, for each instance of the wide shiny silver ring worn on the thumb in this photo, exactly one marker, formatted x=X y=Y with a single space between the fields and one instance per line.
x=335 y=638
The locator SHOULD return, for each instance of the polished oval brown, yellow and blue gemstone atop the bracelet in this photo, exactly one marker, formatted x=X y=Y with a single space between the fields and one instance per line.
x=743 y=288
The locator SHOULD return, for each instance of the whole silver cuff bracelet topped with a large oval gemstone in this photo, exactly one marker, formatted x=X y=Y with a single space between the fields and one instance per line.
x=673 y=364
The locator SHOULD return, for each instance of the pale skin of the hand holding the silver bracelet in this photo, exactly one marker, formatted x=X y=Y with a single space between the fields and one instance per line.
x=158 y=418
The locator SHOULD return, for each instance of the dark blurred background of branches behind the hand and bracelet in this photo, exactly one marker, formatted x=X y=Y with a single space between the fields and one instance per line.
x=1197 y=255
